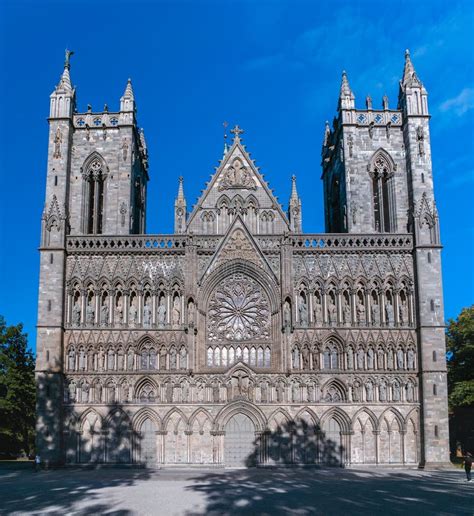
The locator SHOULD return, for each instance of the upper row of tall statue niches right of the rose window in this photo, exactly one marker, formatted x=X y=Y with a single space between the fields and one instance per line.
x=378 y=316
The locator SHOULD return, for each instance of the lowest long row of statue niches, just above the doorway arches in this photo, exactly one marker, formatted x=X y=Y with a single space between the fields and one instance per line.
x=237 y=388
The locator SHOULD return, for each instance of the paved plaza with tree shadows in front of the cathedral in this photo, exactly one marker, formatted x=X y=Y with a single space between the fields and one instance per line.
x=242 y=492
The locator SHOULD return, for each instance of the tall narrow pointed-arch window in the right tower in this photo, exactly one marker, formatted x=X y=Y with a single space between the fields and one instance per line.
x=381 y=171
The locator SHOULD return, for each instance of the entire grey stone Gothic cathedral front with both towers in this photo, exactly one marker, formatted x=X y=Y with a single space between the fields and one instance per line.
x=240 y=340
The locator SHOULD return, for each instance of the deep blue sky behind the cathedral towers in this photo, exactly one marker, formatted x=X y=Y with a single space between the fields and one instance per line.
x=273 y=67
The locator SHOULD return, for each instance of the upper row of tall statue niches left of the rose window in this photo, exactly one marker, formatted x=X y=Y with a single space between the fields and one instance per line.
x=132 y=317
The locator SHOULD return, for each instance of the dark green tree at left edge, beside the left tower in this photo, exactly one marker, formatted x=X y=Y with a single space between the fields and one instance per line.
x=17 y=391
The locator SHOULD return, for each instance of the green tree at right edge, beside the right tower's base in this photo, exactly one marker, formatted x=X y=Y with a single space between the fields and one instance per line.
x=460 y=340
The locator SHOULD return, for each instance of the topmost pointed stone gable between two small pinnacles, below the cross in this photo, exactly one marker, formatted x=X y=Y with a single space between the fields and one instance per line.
x=236 y=176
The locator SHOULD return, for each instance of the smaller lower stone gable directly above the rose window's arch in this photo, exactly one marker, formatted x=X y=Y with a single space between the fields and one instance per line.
x=238 y=243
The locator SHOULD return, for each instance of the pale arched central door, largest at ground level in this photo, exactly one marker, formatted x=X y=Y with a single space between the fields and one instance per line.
x=239 y=441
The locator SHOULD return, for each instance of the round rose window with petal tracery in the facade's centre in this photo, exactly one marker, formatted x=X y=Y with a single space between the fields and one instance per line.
x=238 y=310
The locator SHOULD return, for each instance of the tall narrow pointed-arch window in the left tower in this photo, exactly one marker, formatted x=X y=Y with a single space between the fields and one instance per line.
x=94 y=180
